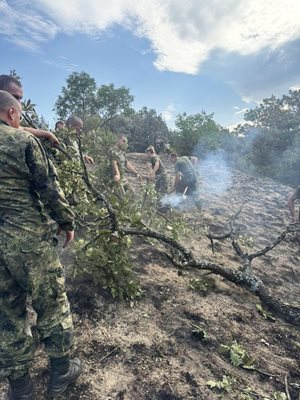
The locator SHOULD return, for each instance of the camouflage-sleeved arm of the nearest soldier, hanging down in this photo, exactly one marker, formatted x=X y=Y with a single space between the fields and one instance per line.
x=45 y=183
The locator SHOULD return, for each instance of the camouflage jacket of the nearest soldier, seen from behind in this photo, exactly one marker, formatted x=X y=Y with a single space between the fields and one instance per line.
x=28 y=185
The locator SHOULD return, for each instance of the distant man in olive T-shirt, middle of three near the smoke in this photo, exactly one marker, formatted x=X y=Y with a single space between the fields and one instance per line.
x=156 y=171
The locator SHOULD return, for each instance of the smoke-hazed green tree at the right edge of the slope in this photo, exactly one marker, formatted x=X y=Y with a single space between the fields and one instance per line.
x=275 y=149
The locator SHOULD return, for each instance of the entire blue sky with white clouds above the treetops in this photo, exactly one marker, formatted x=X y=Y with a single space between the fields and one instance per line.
x=221 y=56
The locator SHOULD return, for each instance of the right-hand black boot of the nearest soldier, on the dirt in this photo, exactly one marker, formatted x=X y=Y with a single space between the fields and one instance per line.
x=63 y=372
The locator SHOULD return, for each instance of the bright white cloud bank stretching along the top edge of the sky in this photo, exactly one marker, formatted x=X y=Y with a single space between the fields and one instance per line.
x=182 y=34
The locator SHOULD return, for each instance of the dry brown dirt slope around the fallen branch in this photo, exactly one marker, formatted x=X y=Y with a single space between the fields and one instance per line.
x=151 y=351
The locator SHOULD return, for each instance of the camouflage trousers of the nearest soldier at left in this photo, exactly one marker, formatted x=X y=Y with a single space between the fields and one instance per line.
x=30 y=267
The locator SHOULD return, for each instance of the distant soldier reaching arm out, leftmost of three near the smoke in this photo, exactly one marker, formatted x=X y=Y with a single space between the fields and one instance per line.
x=119 y=163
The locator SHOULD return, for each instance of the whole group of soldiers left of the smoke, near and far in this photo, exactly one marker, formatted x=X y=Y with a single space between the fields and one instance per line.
x=31 y=198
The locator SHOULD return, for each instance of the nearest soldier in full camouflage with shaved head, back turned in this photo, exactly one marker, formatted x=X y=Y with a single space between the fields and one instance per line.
x=29 y=264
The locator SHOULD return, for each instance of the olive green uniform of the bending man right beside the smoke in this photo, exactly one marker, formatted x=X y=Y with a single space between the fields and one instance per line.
x=188 y=181
